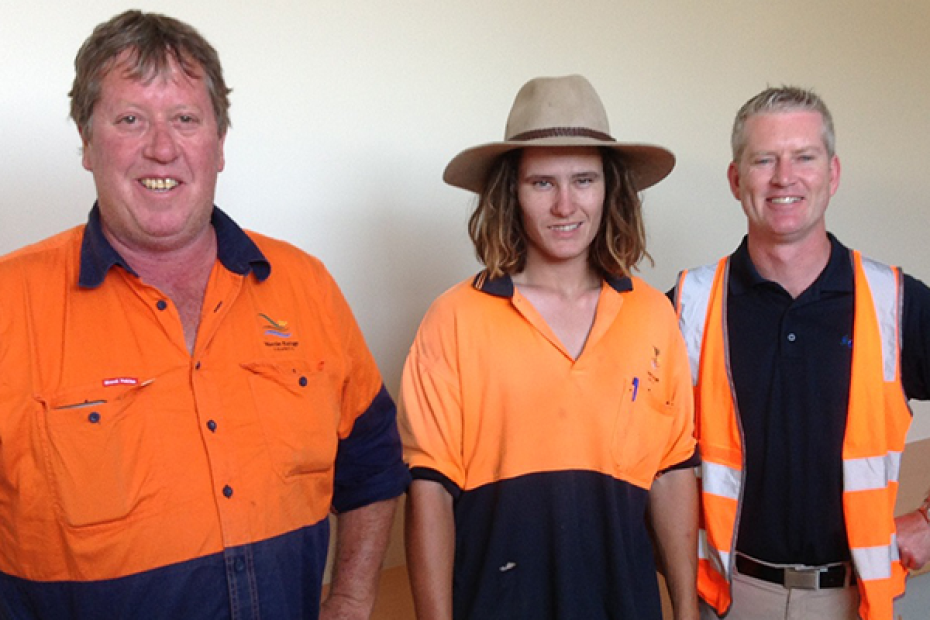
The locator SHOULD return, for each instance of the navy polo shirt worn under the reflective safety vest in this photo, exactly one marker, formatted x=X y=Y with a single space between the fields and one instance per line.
x=790 y=362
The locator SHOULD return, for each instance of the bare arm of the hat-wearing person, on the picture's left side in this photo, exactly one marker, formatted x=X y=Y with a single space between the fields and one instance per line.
x=430 y=544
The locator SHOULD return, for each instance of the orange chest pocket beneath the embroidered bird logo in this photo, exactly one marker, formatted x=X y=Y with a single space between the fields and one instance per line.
x=298 y=407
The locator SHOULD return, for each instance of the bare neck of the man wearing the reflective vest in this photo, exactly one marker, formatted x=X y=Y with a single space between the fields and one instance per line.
x=795 y=266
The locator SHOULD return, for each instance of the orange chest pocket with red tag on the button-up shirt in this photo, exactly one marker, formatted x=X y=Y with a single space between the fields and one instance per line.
x=101 y=453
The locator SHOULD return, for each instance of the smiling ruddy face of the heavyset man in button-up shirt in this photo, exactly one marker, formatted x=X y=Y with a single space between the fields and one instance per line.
x=155 y=154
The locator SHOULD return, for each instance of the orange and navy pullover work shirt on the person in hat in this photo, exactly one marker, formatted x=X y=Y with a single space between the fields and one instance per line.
x=549 y=459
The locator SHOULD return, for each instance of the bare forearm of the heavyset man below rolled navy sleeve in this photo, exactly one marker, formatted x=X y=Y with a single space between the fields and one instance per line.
x=362 y=537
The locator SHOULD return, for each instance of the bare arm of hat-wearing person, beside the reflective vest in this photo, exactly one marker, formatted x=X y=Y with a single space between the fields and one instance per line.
x=673 y=507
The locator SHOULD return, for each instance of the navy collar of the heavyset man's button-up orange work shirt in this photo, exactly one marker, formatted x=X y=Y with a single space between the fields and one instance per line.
x=235 y=250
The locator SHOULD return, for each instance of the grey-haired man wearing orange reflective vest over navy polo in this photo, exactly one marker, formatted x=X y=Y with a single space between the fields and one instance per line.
x=803 y=356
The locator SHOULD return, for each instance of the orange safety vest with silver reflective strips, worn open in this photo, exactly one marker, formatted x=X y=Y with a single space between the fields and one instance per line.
x=876 y=429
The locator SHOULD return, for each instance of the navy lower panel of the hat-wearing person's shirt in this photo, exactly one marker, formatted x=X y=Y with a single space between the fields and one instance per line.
x=564 y=545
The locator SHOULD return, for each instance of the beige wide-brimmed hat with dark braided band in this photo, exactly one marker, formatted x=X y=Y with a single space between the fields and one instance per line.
x=558 y=111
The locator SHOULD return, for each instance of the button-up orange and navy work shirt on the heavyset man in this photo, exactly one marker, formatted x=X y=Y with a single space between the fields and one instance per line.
x=138 y=480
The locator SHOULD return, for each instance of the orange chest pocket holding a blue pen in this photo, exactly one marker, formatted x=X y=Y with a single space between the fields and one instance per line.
x=641 y=432
